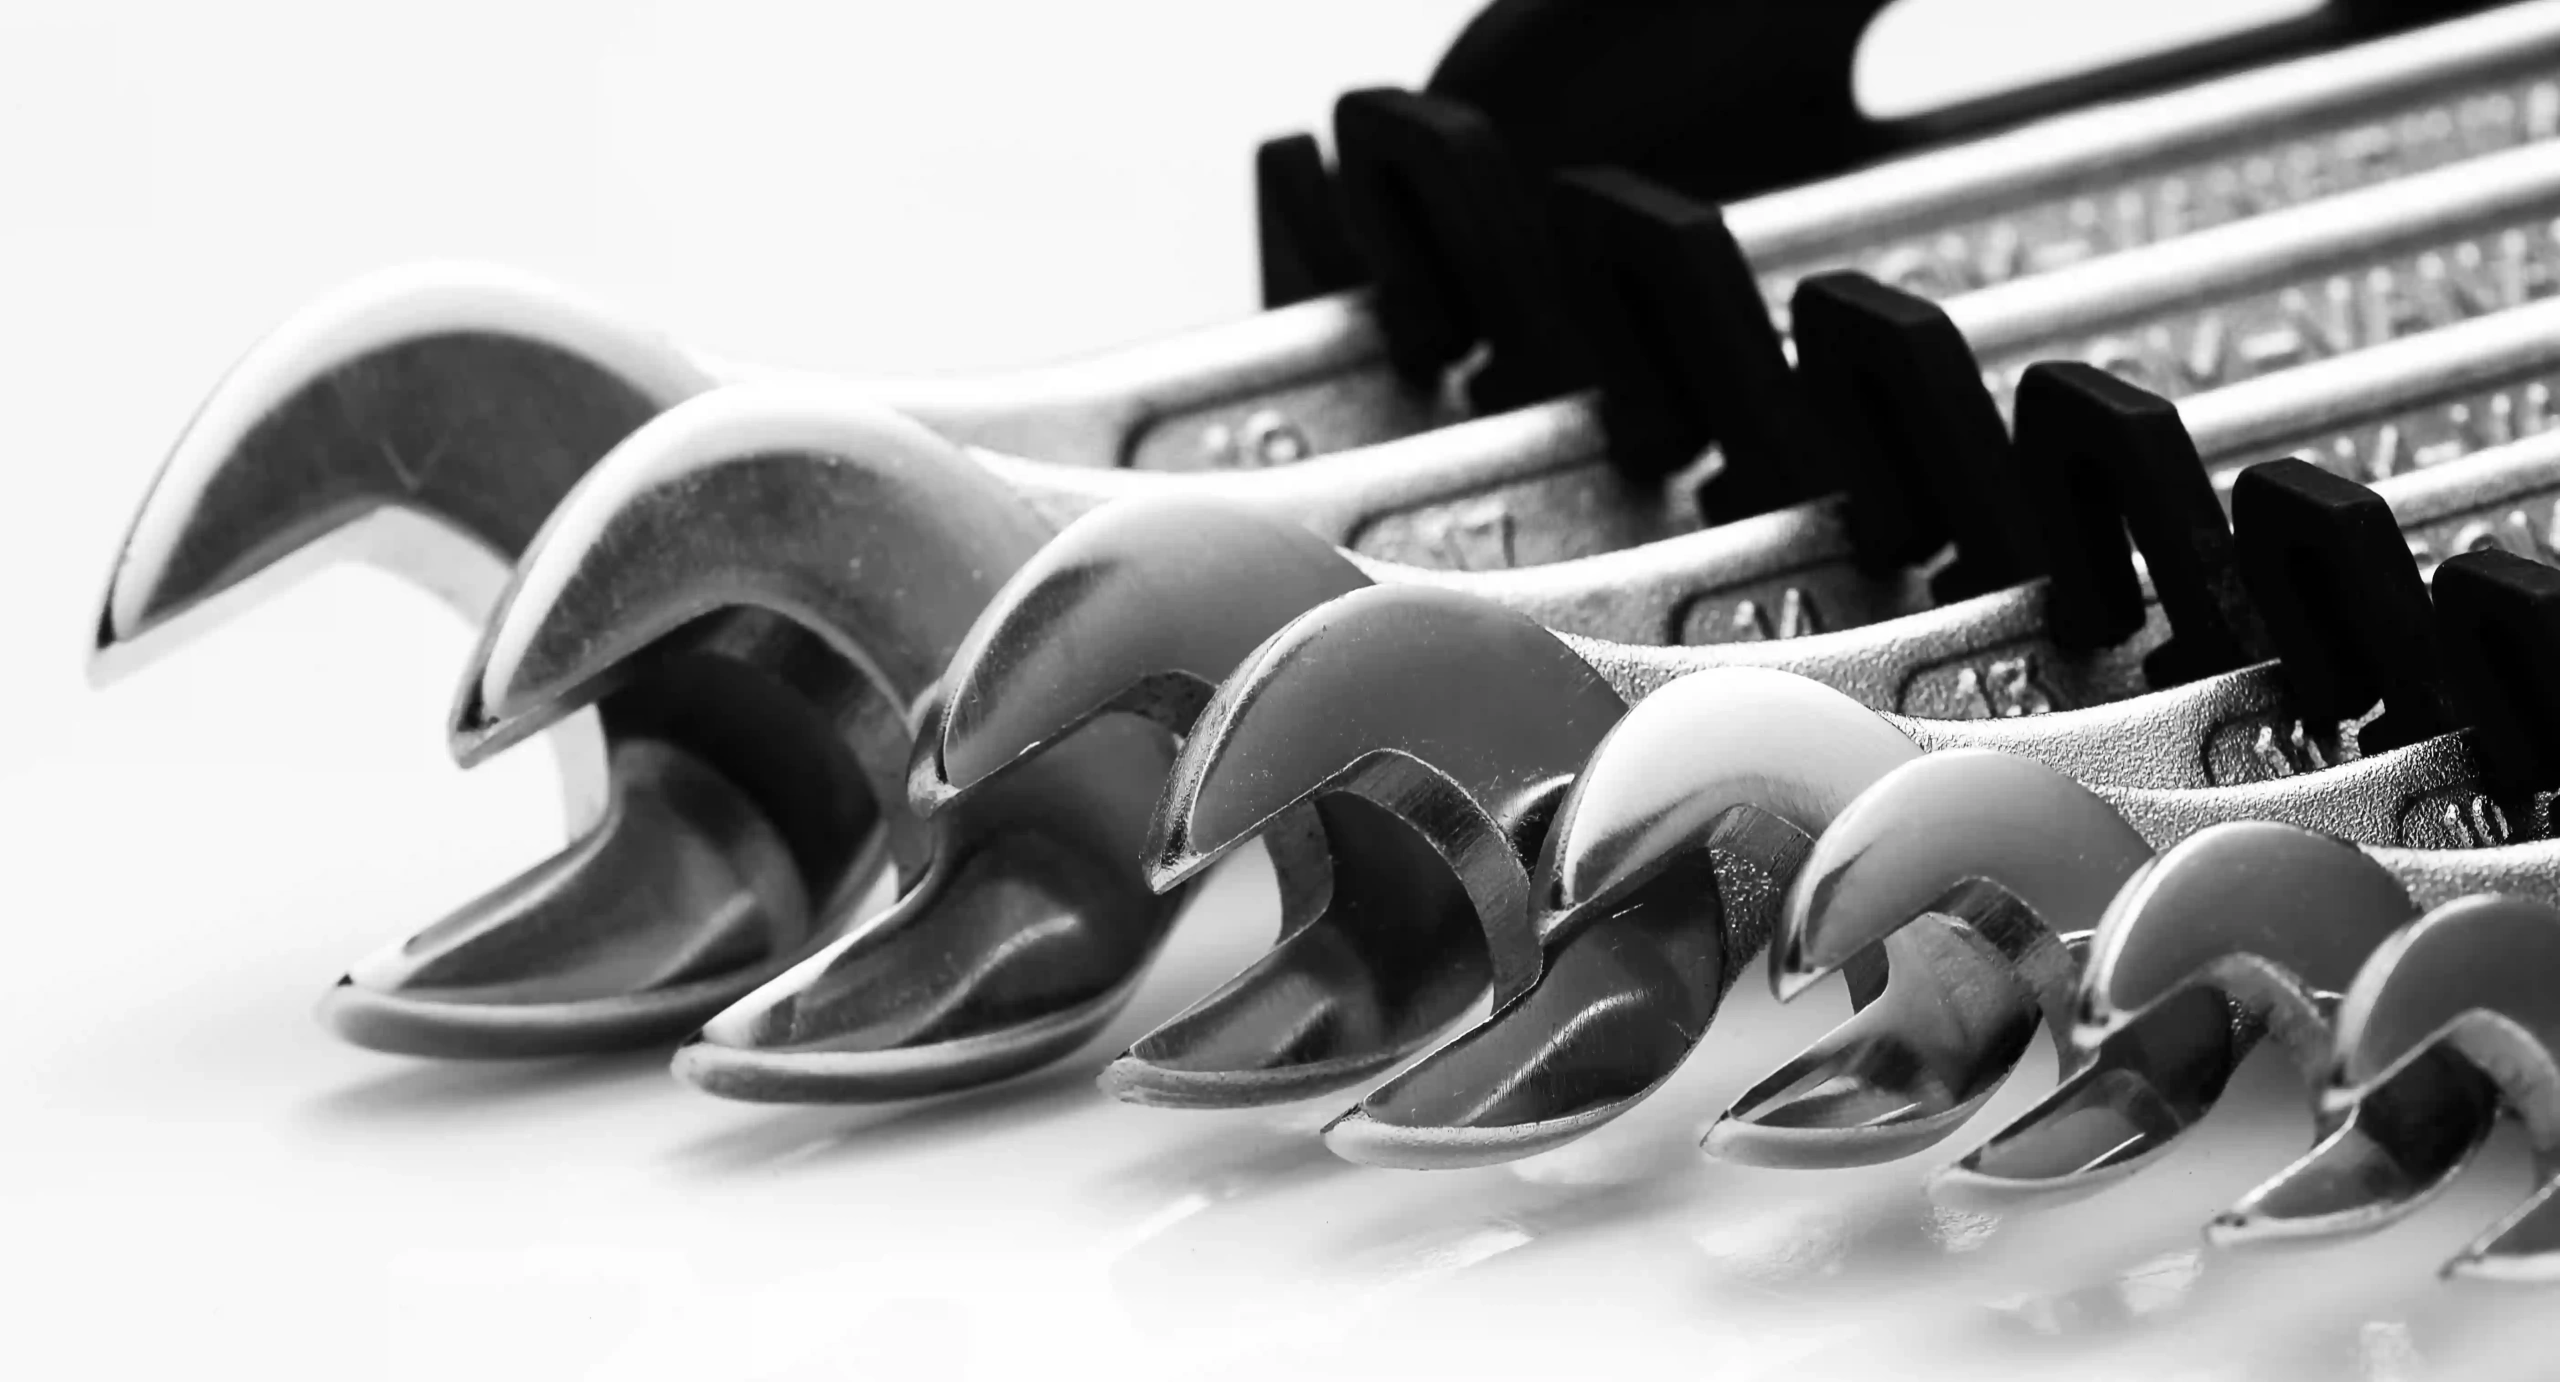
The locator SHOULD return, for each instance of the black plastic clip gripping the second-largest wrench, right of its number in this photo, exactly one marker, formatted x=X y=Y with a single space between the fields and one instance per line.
x=1681 y=342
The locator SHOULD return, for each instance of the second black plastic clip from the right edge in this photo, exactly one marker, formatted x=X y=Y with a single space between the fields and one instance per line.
x=2341 y=600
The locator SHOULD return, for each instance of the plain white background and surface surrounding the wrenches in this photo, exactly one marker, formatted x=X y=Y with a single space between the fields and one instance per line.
x=198 y=1179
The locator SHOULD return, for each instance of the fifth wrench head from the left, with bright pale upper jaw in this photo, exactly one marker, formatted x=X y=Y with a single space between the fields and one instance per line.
x=1658 y=882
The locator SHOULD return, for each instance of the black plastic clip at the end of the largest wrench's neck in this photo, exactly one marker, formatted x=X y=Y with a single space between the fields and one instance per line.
x=1455 y=244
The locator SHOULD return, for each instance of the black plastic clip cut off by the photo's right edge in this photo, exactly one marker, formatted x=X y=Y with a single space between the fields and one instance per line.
x=2500 y=639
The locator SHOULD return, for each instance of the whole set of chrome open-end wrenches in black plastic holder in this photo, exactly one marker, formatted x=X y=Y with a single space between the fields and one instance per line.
x=2083 y=562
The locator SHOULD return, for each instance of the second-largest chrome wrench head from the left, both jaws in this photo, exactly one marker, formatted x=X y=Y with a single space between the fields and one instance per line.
x=782 y=575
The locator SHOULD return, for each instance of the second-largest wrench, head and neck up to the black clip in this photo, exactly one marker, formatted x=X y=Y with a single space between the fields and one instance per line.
x=611 y=605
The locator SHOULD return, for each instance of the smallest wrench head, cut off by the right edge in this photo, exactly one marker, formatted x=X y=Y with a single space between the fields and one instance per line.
x=2469 y=981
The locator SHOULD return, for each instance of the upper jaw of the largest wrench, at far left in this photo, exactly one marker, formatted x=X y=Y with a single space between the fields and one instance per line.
x=465 y=398
